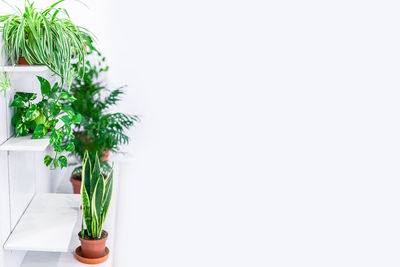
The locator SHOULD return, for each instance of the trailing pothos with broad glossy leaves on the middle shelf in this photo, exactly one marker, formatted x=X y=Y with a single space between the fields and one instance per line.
x=52 y=115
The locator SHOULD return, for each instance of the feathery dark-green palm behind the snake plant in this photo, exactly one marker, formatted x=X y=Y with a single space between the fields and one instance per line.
x=100 y=130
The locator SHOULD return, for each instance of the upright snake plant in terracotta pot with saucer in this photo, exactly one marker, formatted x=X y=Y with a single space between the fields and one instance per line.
x=96 y=199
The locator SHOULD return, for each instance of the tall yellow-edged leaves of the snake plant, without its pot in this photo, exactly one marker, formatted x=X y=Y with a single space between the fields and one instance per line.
x=96 y=192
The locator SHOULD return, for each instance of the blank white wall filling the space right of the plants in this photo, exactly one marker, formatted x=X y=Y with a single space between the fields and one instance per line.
x=270 y=131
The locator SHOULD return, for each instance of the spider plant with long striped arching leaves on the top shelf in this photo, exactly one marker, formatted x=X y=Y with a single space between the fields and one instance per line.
x=45 y=37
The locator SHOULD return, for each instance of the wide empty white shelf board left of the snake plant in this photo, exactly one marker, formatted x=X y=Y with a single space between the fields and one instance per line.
x=48 y=224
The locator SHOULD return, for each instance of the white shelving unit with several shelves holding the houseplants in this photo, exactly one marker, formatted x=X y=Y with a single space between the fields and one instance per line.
x=36 y=229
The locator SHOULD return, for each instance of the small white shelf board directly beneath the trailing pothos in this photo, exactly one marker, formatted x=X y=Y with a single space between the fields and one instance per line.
x=25 y=143
